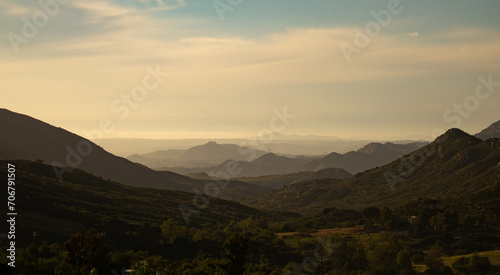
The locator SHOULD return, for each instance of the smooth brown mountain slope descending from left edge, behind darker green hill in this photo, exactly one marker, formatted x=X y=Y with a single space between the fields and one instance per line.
x=26 y=138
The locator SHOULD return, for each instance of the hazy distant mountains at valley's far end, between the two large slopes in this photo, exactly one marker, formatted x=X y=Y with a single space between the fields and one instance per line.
x=370 y=156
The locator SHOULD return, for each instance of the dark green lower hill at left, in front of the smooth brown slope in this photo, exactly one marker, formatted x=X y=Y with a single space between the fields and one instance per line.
x=83 y=201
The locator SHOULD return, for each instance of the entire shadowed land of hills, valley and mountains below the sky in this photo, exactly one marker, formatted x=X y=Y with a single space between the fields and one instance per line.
x=425 y=206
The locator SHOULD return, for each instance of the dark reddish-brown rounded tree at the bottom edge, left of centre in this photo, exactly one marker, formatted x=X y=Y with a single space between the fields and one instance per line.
x=86 y=252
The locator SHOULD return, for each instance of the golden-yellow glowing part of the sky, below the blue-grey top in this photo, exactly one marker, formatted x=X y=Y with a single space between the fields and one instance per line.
x=228 y=85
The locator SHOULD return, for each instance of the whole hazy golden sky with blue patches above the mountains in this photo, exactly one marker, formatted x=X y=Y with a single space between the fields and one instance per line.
x=234 y=68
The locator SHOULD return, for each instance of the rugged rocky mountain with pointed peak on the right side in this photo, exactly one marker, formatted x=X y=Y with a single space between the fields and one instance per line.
x=455 y=166
